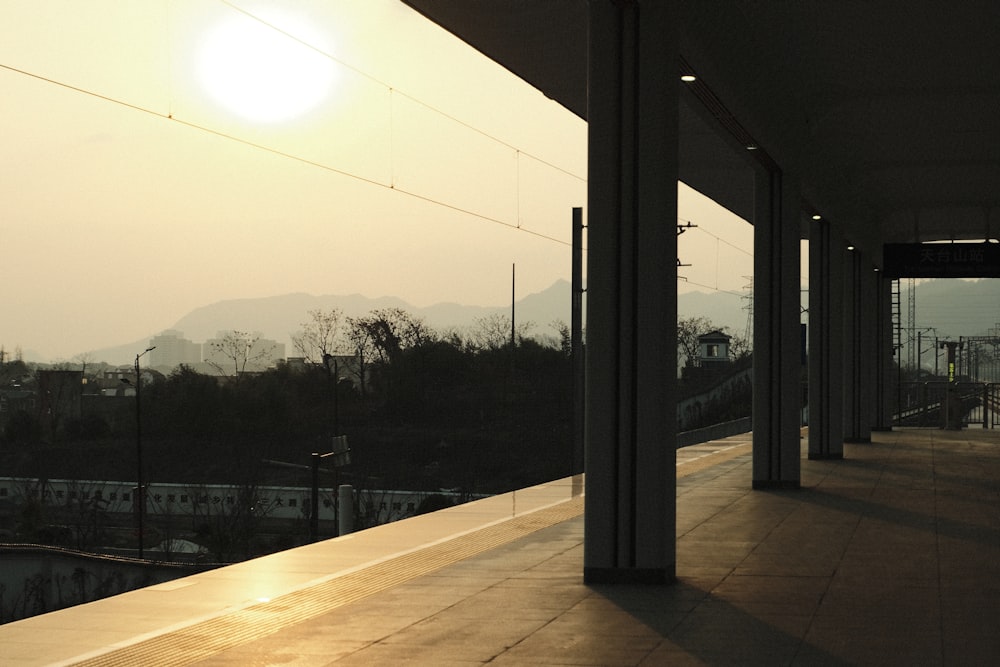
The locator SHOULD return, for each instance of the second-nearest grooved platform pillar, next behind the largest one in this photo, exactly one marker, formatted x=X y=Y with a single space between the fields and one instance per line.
x=777 y=346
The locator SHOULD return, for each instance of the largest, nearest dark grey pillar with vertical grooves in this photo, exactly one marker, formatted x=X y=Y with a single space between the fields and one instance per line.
x=631 y=359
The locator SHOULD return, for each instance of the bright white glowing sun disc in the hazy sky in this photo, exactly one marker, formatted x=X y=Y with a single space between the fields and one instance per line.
x=264 y=73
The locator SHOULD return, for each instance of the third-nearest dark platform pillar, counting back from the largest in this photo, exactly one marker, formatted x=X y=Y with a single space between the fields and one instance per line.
x=826 y=344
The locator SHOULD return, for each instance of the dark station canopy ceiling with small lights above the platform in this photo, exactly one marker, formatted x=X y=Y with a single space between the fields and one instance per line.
x=888 y=112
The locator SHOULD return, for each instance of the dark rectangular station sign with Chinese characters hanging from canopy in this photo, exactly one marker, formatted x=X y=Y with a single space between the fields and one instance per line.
x=941 y=260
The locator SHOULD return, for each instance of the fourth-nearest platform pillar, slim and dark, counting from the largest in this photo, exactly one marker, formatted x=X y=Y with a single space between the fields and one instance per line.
x=858 y=349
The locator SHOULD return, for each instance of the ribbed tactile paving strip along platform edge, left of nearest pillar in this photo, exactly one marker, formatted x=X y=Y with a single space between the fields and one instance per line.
x=212 y=636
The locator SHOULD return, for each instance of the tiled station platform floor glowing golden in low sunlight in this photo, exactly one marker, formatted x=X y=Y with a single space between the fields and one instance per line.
x=890 y=556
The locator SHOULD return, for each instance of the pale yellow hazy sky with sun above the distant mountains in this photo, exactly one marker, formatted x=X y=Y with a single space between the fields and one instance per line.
x=160 y=156
